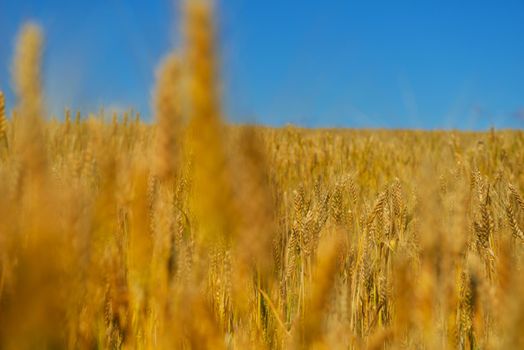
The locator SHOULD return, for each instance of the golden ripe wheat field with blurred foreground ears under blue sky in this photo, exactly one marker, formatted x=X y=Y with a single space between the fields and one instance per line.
x=193 y=233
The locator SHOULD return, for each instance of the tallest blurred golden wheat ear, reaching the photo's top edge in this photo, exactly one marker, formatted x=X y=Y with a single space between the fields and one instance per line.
x=212 y=188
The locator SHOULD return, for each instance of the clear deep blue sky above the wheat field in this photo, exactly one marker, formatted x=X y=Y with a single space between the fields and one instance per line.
x=366 y=63
